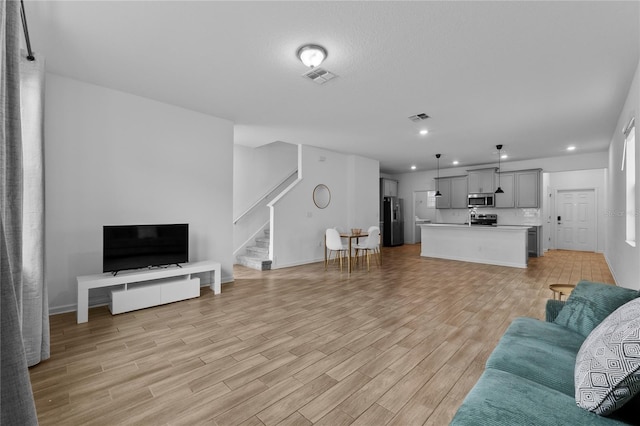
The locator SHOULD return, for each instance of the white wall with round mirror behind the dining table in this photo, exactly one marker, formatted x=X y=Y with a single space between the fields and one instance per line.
x=298 y=225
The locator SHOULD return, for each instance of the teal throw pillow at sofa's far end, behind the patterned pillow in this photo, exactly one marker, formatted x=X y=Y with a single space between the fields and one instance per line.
x=590 y=303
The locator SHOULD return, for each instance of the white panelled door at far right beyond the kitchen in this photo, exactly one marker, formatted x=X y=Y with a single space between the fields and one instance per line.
x=576 y=220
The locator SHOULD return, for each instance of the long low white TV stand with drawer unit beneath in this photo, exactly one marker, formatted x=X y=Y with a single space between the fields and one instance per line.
x=150 y=287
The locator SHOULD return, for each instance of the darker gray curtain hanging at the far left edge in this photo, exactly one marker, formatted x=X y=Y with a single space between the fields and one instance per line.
x=16 y=397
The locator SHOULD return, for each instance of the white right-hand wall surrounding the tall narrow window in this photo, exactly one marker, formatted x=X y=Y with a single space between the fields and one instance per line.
x=623 y=259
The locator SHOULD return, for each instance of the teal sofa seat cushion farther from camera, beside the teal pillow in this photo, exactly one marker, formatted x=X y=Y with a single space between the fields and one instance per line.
x=542 y=352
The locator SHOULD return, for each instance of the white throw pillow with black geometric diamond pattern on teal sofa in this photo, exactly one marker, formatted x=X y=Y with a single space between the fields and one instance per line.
x=607 y=373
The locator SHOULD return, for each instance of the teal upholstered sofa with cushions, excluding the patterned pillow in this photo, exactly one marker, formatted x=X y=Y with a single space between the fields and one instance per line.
x=529 y=377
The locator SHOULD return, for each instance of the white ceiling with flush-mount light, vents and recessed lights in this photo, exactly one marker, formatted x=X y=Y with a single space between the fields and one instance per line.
x=533 y=76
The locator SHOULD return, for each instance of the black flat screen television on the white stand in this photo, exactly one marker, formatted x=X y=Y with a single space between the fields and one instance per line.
x=142 y=246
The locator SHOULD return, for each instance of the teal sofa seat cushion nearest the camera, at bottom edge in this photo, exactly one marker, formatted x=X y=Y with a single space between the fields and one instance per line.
x=501 y=398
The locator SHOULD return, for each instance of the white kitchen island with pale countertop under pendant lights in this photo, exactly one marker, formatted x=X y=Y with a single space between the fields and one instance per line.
x=494 y=245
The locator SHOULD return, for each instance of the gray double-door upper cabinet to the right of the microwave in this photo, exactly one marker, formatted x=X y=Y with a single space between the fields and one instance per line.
x=521 y=189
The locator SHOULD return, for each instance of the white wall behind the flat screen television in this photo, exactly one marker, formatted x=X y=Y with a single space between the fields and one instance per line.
x=113 y=158
